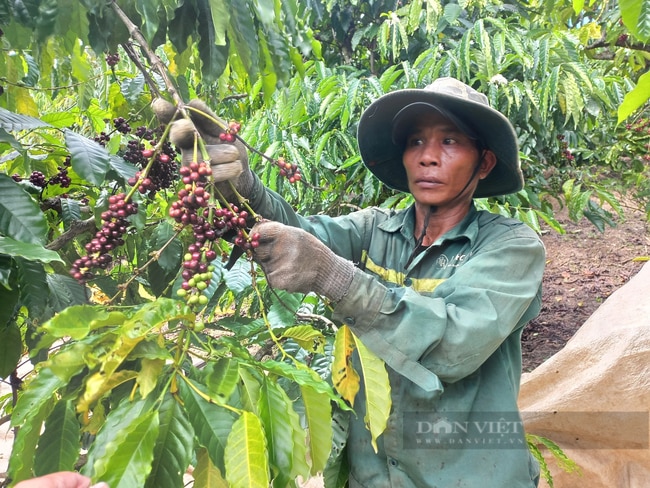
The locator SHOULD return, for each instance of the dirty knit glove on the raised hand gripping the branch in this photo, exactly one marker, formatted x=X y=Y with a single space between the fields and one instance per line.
x=229 y=160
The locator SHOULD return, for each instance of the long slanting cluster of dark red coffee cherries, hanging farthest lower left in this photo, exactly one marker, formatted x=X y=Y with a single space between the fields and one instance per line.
x=109 y=237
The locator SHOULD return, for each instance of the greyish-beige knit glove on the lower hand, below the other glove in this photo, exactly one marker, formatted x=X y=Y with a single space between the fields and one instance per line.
x=296 y=261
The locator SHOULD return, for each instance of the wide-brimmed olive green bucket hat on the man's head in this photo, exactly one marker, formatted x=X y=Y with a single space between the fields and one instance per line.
x=381 y=143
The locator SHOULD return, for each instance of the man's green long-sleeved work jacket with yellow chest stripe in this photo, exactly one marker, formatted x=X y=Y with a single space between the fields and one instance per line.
x=449 y=330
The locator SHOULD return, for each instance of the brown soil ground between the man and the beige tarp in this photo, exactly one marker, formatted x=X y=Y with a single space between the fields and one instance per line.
x=584 y=267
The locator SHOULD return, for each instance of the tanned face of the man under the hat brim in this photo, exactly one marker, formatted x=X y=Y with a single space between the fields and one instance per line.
x=440 y=160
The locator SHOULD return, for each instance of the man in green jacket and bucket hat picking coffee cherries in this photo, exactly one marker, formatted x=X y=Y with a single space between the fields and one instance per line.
x=439 y=291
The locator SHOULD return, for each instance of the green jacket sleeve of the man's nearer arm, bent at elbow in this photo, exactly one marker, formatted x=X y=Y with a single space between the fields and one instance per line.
x=448 y=335
